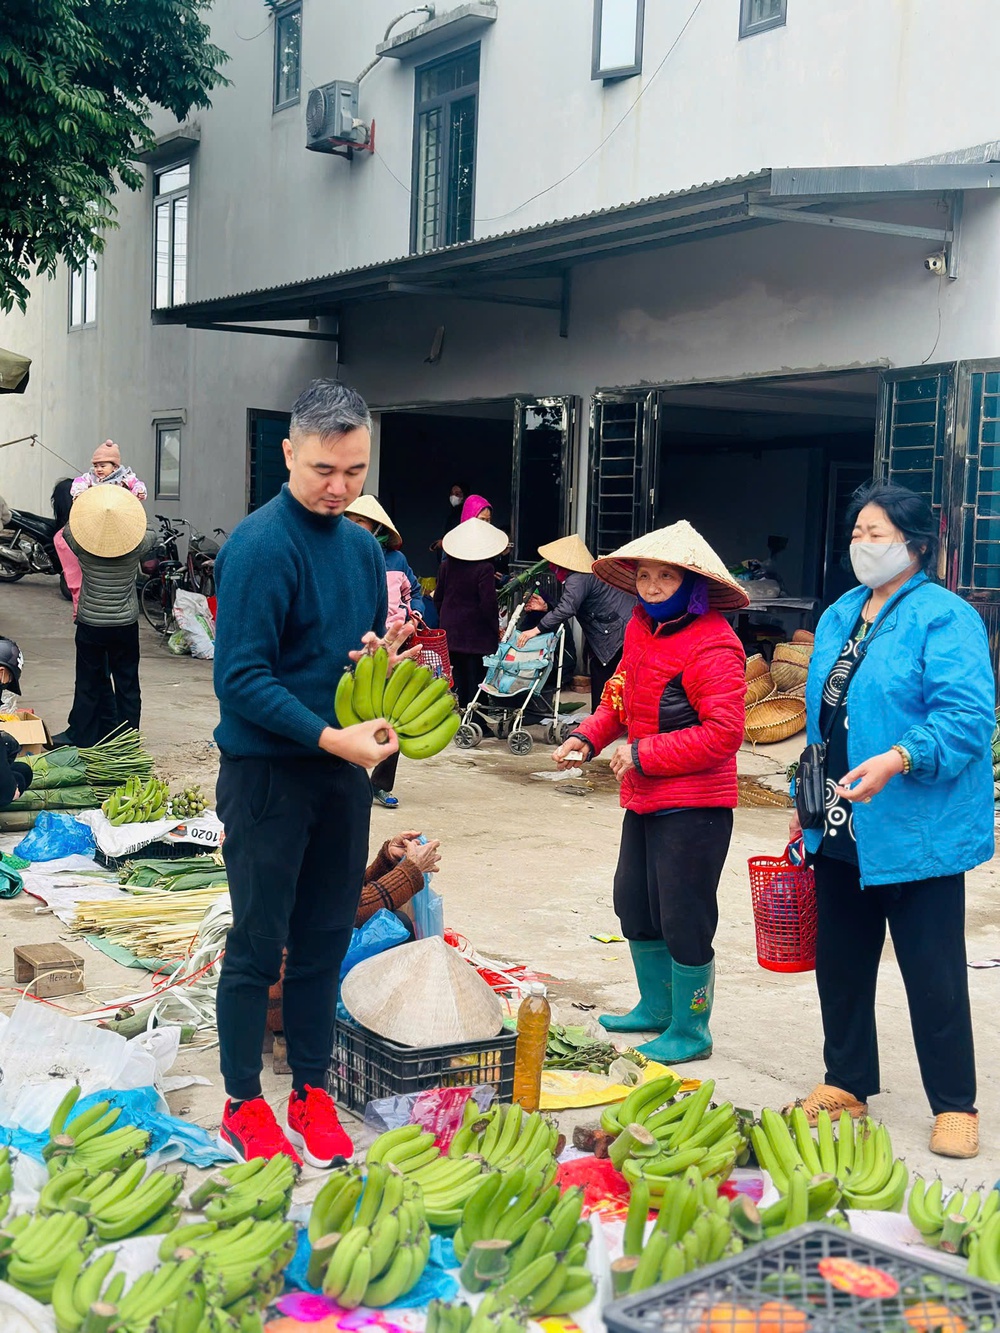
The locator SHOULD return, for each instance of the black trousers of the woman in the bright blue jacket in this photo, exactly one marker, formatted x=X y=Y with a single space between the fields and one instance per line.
x=927 y=922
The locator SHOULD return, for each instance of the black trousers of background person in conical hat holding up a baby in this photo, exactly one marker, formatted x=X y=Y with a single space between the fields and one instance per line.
x=105 y=651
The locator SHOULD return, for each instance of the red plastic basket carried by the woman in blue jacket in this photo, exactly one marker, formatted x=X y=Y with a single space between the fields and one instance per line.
x=785 y=914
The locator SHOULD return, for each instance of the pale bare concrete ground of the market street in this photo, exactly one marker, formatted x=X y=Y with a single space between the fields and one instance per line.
x=527 y=878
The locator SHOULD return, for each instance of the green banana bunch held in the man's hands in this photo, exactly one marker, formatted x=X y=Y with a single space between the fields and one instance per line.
x=419 y=706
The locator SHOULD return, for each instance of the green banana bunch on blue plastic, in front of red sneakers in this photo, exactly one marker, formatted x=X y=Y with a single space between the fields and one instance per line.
x=378 y=1254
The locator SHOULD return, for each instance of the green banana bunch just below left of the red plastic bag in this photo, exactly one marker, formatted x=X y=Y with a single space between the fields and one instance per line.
x=526 y=1242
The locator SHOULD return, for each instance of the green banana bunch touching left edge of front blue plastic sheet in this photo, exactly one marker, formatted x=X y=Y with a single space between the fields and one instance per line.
x=242 y=1266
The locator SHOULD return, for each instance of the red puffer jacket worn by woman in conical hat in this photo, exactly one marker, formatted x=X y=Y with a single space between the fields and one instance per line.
x=683 y=698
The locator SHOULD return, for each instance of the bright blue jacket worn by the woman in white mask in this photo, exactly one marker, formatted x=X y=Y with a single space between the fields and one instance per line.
x=927 y=684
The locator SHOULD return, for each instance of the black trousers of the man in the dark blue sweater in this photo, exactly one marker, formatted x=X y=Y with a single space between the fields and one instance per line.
x=297 y=850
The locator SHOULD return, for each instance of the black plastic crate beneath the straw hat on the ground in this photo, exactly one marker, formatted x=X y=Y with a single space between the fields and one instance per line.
x=366 y=1068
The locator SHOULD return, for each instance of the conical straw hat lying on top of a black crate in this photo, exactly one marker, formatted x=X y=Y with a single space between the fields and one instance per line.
x=422 y=995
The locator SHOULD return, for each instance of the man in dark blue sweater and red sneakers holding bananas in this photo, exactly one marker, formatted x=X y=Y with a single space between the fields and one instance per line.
x=301 y=590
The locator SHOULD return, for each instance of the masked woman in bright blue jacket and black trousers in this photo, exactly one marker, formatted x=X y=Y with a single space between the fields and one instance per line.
x=911 y=814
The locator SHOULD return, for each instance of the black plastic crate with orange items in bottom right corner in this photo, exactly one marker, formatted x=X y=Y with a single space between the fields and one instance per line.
x=787 y=1270
